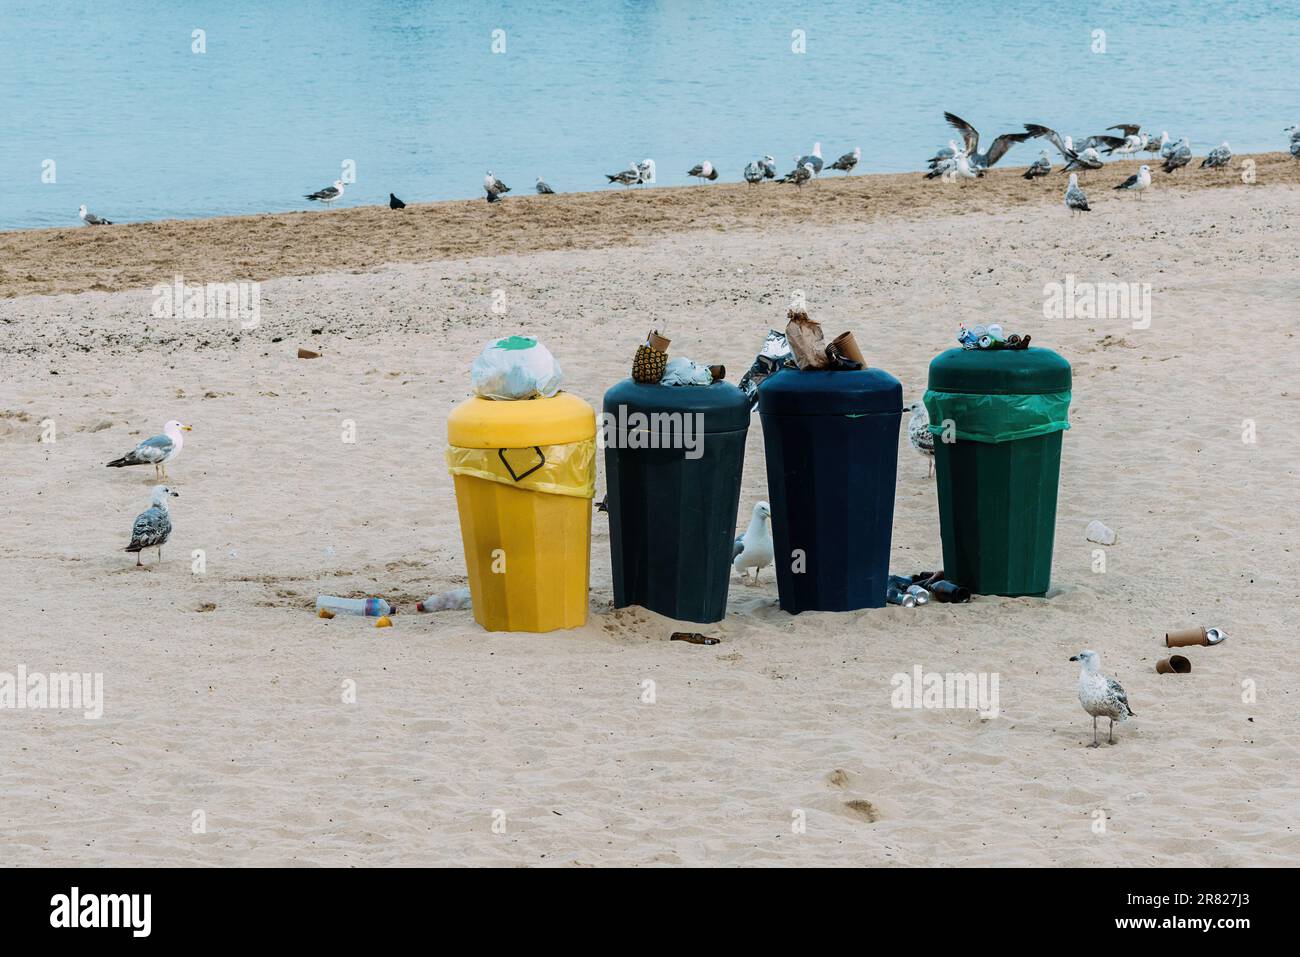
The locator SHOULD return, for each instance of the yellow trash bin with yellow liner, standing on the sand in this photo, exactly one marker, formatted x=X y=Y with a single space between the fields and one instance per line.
x=525 y=475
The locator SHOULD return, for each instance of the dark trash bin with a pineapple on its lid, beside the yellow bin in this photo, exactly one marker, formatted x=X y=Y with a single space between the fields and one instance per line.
x=673 y=462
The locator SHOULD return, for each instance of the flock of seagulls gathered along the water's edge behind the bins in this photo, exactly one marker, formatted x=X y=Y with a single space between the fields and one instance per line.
x=959 y=162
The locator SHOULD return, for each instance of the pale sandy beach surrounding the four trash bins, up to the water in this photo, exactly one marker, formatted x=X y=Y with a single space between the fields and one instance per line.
x=224 y=695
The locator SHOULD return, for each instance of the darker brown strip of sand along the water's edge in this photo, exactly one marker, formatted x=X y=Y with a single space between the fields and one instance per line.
x=81 y=259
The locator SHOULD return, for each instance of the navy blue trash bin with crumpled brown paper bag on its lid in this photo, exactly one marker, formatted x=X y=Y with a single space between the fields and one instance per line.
x=831 y=443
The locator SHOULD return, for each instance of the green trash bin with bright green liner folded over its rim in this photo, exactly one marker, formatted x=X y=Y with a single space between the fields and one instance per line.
x=1004 y=413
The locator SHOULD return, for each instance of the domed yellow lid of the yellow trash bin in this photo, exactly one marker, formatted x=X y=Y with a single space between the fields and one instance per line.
x=480 y=423
